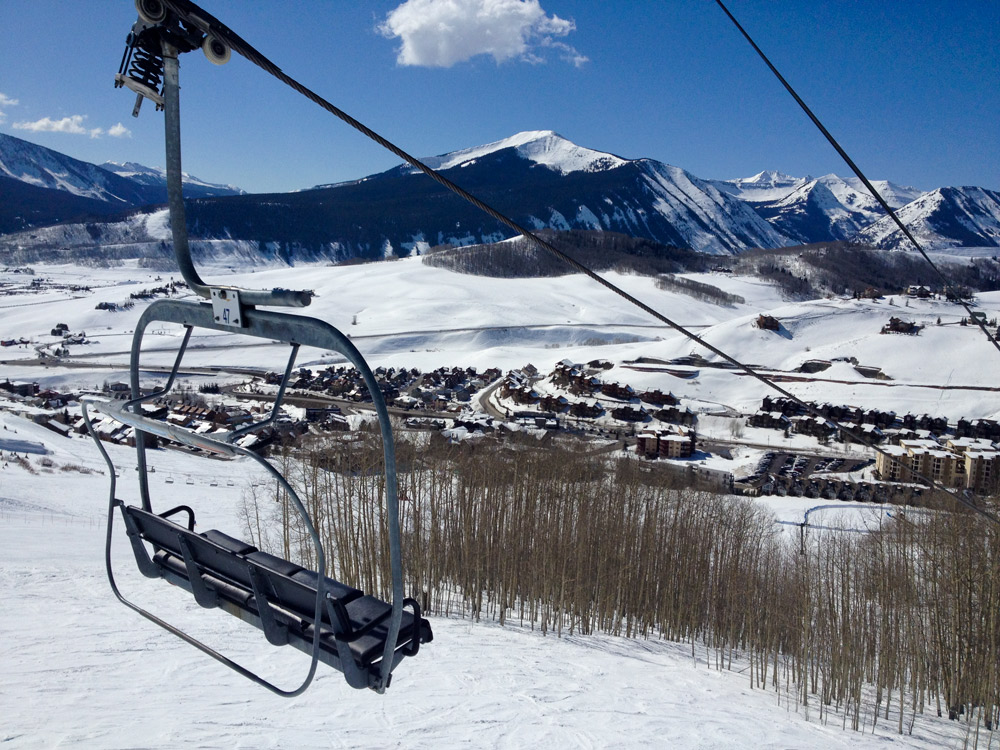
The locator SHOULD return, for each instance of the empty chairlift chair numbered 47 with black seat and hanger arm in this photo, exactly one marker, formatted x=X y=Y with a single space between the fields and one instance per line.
x=359 y=635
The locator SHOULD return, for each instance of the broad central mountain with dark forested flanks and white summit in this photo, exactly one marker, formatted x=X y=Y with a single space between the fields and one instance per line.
x=538 y=178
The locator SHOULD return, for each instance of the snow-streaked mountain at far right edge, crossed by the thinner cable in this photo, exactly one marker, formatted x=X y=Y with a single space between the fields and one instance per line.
x=943 y=218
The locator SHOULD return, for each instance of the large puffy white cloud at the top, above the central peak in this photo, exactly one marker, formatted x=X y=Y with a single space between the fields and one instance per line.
x=441 y=33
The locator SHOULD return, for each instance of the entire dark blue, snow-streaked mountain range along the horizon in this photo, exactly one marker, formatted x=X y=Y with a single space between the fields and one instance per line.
x=538 y=178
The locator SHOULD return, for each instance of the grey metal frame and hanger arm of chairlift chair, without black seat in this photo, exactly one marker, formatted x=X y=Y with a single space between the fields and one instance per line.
x=182 y=27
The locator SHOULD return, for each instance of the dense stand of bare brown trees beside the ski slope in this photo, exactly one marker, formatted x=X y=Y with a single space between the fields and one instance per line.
x=866 y=627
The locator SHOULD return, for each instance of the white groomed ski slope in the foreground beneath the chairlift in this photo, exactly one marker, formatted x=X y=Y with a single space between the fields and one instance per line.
x=82 y=671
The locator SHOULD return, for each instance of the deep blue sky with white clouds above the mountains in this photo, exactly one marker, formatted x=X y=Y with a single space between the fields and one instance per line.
x=911 y=89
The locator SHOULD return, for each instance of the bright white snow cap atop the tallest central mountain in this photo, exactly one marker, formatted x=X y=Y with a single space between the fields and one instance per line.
x=539 y=146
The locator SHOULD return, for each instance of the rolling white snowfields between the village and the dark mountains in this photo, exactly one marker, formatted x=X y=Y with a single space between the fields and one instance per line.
x=406 y=314
